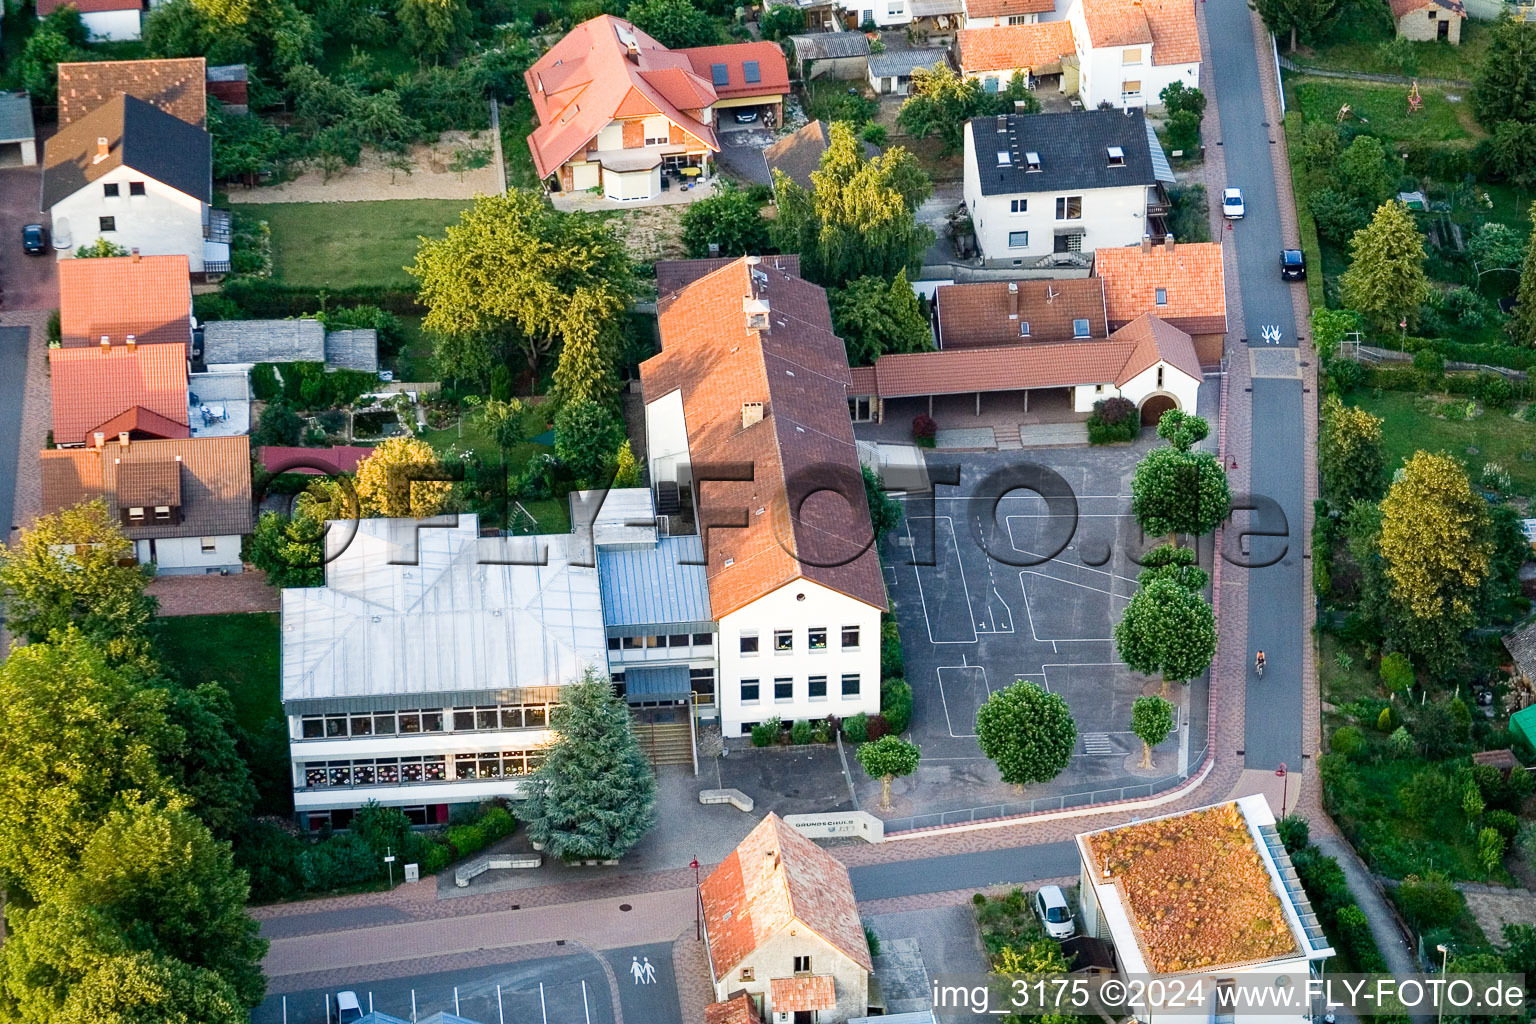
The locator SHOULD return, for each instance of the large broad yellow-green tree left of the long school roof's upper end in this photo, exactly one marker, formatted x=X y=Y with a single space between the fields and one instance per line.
x=508 y=277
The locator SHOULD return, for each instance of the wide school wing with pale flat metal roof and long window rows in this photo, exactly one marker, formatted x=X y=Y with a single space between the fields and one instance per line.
x=423 y=673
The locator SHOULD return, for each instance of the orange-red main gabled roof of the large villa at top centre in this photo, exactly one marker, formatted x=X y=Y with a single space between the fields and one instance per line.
x=583 y=84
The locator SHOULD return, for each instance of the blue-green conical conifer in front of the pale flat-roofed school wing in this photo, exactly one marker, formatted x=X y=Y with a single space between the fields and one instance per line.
x=595 y=794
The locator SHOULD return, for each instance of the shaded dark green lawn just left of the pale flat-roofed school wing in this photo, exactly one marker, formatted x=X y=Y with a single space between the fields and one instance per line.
x=237 y=652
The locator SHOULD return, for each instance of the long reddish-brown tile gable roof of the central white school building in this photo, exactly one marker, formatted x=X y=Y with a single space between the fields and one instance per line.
x=798 y=372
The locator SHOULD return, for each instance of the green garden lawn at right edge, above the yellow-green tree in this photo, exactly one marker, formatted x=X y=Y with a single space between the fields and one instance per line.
x=1492 y=437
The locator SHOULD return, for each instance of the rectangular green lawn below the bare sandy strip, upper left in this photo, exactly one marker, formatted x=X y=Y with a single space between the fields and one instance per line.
x=351 y=245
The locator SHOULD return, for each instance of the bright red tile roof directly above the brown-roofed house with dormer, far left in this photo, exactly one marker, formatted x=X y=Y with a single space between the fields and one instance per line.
x=94 y=388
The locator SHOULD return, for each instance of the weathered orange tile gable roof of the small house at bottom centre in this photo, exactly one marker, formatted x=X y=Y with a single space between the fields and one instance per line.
x=776 y=880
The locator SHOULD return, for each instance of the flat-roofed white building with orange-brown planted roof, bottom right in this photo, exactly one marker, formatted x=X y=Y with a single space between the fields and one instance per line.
x=1240 y=920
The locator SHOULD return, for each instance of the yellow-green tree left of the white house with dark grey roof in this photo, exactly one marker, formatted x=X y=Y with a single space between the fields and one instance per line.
x=861 y=219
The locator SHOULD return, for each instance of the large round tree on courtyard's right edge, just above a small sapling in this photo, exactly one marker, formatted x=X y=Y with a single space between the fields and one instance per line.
x=1167 y=630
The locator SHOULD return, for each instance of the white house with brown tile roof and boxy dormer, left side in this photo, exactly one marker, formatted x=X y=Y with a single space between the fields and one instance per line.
x=185 y=503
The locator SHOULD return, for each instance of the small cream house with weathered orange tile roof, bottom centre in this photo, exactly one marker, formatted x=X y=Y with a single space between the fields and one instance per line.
x=783 y=928
